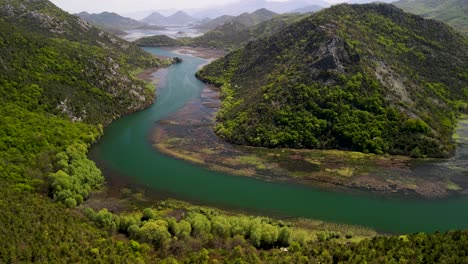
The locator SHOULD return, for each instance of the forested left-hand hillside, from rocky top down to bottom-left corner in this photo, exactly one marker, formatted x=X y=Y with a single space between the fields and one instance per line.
x=56 y=69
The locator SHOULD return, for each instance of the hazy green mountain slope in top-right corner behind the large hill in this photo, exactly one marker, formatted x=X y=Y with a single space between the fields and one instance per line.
x=452 y=12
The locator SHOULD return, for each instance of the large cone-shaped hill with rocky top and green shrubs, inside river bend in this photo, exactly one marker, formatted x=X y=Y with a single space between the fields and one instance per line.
x=370 y=78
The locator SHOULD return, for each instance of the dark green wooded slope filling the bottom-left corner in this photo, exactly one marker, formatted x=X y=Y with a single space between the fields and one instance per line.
x=34 y=229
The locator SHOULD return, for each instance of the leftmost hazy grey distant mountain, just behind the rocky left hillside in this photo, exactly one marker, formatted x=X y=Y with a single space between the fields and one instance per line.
x=114 y=23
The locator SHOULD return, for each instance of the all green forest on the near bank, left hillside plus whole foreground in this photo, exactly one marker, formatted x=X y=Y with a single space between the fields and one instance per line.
x=61 y=81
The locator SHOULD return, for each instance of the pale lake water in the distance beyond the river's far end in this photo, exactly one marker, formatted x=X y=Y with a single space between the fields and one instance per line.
x=171 y=31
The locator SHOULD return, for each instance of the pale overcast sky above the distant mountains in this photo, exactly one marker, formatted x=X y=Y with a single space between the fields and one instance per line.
x=127 y=6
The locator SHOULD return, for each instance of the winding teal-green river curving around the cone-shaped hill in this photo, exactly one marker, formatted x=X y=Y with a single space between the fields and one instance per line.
x=125 y=149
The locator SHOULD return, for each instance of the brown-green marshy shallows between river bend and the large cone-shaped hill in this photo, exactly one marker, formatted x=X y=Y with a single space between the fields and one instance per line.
x=188 y=135
